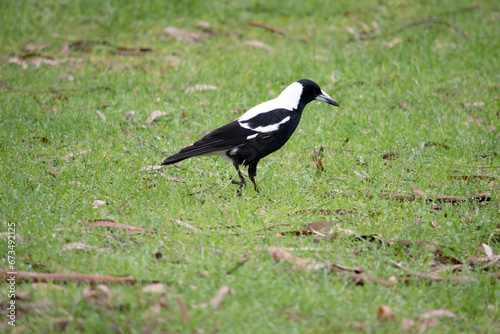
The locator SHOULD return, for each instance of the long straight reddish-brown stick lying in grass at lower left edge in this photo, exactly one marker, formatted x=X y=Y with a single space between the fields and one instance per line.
x=25 y=276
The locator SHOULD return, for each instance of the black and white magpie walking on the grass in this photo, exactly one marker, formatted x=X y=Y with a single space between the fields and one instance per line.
x=257 y=133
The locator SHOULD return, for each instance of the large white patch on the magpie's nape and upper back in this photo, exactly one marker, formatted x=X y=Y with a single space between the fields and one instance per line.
x=288 y=99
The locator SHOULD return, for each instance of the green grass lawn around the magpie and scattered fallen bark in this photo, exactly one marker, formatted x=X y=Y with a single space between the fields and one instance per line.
x=409 y=92
